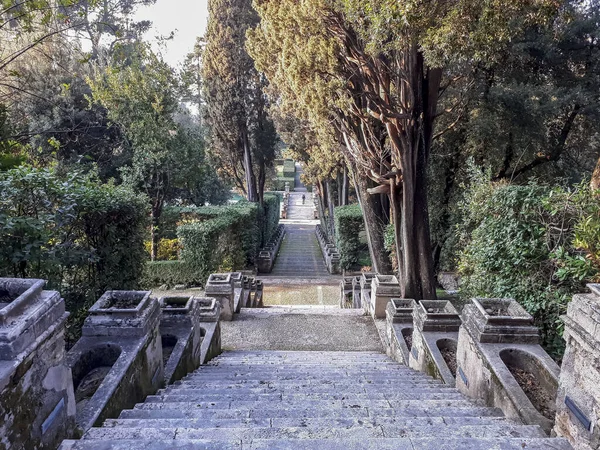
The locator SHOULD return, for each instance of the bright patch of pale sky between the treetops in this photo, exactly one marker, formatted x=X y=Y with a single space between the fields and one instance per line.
x=187 y=18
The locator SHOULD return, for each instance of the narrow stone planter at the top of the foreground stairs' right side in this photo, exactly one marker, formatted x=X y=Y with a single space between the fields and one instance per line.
x=399 y=326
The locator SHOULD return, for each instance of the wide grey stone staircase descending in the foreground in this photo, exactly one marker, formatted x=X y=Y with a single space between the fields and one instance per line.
x=311 y=400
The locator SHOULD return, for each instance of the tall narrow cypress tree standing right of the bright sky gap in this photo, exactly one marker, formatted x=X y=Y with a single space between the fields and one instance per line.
x=242 y=134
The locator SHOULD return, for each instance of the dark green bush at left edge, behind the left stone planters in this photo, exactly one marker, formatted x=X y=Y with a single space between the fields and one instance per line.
x=82 y=236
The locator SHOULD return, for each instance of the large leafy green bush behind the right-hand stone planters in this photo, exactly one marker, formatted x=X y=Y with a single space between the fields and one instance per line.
x=521 y=242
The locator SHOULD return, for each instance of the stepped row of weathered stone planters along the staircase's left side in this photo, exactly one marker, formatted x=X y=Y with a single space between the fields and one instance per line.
x=131 y=345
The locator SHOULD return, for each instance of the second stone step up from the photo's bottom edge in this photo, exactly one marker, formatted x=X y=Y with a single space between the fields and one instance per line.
x=296 y=433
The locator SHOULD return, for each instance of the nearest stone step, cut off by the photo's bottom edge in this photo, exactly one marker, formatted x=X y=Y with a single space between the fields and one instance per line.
x=319 y=444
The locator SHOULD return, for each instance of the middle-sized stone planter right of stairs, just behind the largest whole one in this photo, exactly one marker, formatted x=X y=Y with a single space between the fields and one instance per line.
x=436 y=324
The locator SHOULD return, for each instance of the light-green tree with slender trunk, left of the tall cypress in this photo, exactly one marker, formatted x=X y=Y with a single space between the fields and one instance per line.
x=141 y=99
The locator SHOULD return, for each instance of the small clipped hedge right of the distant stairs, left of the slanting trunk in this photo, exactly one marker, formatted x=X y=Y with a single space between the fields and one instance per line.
x=349 y=224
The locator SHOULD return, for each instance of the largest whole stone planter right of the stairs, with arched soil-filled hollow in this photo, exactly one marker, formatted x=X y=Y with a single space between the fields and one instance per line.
x=497 y=338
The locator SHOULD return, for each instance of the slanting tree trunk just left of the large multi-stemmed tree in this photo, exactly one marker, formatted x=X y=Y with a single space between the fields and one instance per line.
x=375 y=225
